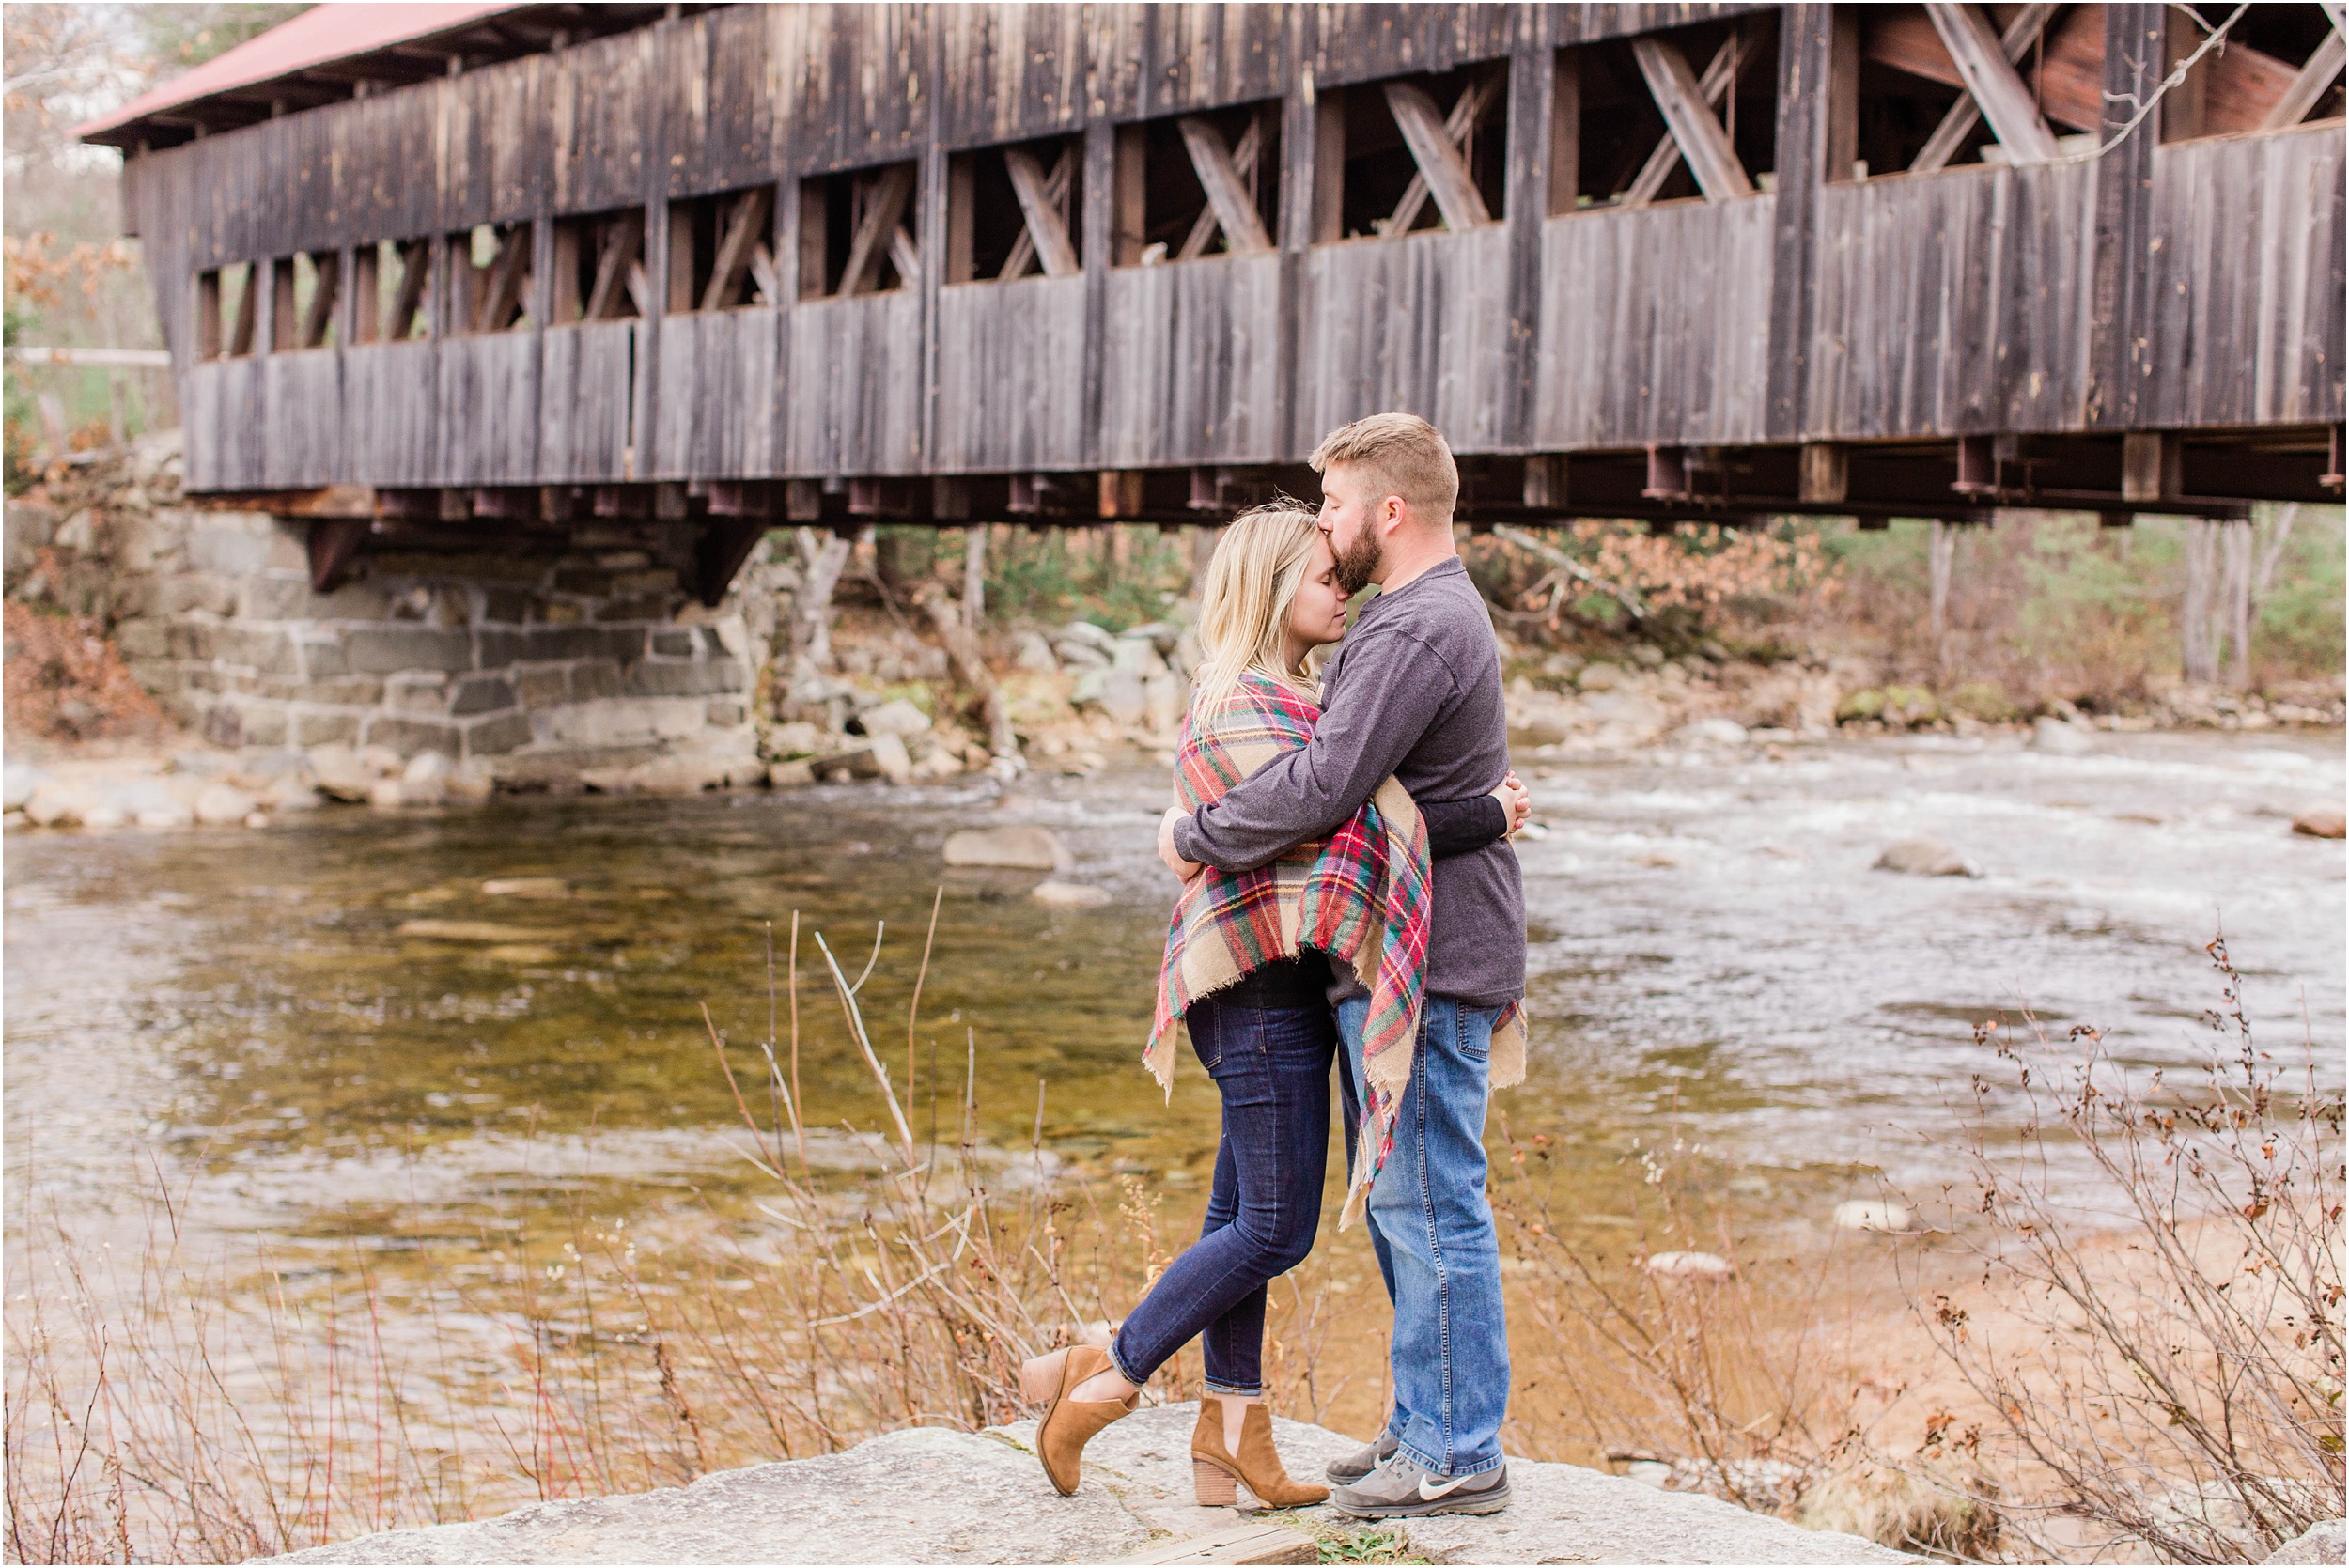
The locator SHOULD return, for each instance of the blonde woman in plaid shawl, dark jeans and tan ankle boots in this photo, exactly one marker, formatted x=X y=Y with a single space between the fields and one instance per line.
x=1251 y=973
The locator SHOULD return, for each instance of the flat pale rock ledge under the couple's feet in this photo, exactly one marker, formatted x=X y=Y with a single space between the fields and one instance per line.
x=934 y=1496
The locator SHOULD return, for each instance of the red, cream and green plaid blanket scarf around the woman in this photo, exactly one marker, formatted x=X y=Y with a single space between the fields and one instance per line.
x=1364 y=898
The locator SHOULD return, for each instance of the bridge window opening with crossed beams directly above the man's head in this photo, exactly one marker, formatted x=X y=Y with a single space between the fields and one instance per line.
x=1418 y=154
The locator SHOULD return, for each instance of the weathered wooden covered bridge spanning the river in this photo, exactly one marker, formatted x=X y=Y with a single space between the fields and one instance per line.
x=480 y=269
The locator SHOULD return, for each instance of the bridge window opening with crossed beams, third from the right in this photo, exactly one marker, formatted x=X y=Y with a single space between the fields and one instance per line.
x=1674 y=116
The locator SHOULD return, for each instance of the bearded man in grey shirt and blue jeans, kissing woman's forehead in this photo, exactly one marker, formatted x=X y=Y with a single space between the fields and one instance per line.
x=1415 y=691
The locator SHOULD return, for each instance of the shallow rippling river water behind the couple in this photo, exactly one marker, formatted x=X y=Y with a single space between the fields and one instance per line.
x=332 y=1020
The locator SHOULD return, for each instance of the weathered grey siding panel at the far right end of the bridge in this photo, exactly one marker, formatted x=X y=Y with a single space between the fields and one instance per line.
x=2249 y=281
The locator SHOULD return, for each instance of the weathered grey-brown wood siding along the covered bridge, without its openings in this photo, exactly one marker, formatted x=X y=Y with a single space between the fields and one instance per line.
x=1927 y=306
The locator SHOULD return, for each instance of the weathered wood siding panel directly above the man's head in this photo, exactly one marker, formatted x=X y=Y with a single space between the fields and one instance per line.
x=1415 y=325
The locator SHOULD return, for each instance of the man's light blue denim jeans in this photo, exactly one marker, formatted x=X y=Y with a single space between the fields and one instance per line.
x=1432 y=1226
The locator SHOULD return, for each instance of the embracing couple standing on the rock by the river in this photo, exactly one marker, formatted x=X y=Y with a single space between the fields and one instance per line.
x=1350 y=898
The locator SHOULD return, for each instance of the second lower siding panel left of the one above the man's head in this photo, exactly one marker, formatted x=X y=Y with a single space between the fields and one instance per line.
x=1011 y=377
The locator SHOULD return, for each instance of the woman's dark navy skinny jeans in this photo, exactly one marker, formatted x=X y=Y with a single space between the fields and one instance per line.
x=1272 y=1067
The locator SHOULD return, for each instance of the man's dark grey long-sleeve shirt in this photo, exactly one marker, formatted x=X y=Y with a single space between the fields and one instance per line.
x=1415 y=691
